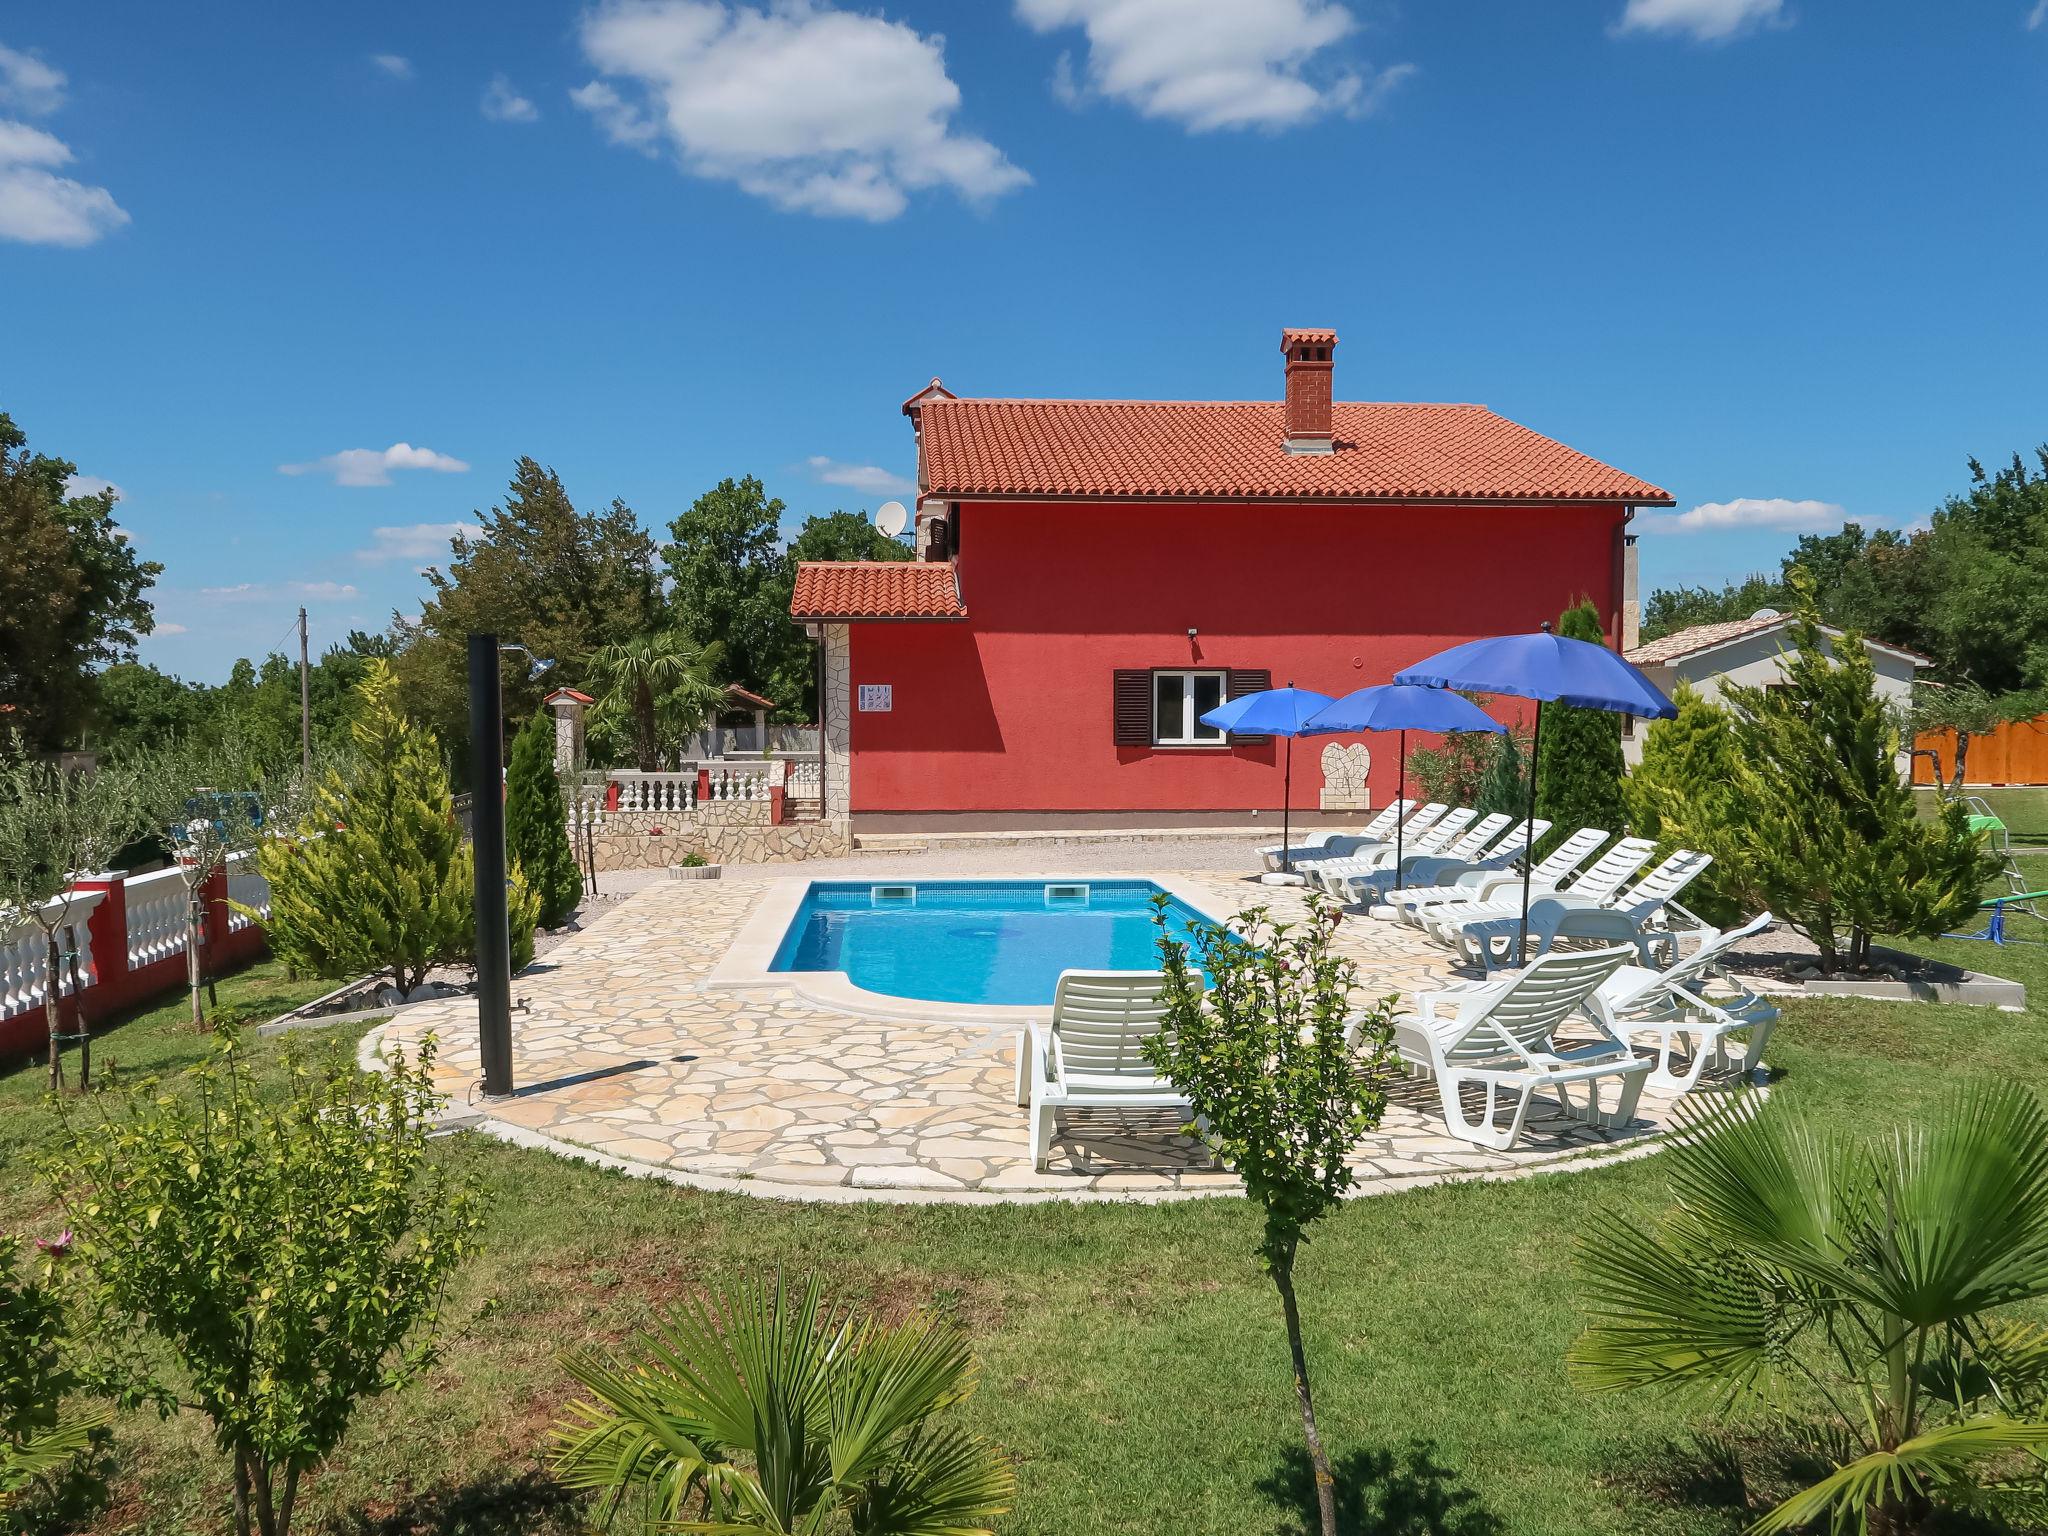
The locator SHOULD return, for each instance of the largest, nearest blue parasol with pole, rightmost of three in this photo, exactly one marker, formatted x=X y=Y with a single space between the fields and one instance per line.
x=1551 y=671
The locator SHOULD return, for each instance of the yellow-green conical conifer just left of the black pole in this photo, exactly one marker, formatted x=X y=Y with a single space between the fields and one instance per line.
x=380 y=878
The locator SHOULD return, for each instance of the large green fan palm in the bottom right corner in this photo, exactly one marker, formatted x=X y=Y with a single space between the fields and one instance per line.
x=1854 y=1291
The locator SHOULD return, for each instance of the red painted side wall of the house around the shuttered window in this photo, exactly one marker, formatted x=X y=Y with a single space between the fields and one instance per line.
x=1011 y=710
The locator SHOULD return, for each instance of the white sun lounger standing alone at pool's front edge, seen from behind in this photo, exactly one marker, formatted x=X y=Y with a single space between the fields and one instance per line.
x=1091 y=1056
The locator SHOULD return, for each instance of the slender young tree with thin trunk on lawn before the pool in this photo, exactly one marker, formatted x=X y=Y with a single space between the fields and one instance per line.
x=1285 y=1080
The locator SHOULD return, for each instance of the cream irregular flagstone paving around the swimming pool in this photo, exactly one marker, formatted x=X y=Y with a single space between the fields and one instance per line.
x=624 y=1056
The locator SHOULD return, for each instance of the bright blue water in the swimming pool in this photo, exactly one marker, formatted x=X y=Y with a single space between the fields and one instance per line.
x=976 y=941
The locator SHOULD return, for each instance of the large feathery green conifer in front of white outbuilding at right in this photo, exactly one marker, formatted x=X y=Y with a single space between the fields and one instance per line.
x=1824 y=828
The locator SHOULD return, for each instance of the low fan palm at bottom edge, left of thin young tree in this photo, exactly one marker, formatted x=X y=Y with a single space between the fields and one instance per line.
x=775 y=1412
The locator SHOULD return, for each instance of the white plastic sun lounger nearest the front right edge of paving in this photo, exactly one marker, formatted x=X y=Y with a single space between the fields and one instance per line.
x=1500 y=1035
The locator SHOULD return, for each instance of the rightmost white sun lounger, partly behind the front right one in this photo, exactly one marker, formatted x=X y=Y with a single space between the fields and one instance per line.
x=1691 y=1011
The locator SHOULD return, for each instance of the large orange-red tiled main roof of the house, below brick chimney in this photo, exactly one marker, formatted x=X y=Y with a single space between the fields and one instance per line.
x=1140 y=450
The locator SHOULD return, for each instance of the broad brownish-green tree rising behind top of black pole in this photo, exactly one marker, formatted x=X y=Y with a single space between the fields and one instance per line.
x=538 y=574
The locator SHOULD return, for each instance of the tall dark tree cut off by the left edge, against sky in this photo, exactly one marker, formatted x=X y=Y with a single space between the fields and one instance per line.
x=73 y=593
